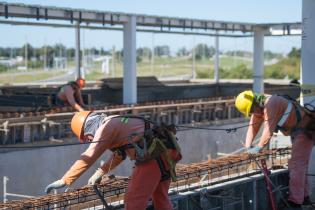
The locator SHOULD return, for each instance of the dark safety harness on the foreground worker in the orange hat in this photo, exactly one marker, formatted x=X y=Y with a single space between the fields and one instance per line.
x=155 y=144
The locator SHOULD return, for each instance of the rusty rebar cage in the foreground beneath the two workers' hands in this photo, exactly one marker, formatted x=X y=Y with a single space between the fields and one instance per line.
x=189 y=177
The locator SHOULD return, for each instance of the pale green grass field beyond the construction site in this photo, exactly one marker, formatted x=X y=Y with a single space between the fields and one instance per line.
x=161 y=68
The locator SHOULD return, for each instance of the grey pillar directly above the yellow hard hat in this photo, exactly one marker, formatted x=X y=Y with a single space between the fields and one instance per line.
x=258 y=64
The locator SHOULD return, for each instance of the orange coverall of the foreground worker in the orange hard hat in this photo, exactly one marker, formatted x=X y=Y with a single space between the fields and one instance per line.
x=145 y=180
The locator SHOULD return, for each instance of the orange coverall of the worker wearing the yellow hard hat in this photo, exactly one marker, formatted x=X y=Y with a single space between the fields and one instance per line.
x=302 y=141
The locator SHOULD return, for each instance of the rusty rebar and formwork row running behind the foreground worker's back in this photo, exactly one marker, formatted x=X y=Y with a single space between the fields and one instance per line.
x=55 y=124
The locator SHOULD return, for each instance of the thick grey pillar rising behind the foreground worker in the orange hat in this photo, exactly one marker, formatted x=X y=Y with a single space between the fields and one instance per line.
x=130 y=73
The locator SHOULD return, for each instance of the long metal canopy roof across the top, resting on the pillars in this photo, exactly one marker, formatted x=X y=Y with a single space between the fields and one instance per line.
x=93 y=19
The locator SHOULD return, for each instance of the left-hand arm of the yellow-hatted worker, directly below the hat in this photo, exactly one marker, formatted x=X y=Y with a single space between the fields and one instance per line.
x=253 y=128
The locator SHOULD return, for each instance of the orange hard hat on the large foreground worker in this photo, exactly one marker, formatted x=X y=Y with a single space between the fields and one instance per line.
x=77 y=123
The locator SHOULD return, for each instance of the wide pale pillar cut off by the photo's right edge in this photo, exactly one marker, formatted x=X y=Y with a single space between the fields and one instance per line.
x=308 y=48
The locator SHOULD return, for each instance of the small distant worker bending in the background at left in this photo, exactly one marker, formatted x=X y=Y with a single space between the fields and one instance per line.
x=70 y=94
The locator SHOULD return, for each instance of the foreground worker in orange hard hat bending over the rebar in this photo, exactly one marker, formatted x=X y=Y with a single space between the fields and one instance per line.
x=155 y=151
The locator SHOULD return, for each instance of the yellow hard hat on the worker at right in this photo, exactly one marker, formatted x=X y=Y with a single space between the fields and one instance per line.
x=244 y=102
